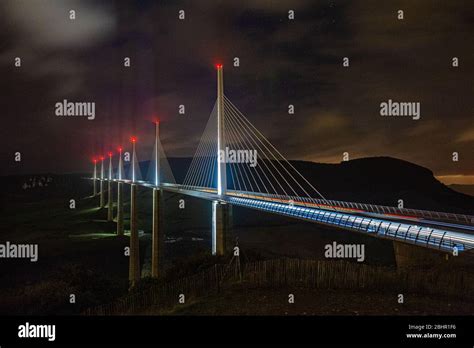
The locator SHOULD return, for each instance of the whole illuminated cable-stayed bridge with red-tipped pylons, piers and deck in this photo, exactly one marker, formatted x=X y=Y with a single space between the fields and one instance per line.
x=235 y=164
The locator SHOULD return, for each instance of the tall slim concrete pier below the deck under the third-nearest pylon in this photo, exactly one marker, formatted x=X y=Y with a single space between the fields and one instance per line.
x=134 y=265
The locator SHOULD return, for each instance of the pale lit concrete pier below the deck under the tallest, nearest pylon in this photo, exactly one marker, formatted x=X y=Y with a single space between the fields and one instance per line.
x=221 y=226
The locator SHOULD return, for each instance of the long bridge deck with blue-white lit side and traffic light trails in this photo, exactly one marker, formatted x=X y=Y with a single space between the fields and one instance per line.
x=422 y=232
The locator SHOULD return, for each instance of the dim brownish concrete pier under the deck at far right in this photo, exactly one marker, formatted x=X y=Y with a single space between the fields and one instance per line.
x=411 y=256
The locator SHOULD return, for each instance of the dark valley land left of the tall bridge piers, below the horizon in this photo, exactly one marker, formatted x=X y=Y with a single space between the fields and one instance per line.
x=78 y=252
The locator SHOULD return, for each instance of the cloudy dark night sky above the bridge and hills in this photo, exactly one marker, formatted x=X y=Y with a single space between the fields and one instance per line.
x=282 y=62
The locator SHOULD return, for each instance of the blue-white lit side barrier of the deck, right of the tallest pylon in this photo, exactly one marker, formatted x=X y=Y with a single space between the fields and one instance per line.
x=420 y=235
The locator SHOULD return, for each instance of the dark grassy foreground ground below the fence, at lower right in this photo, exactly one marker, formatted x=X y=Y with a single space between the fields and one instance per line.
x=242 y=300
